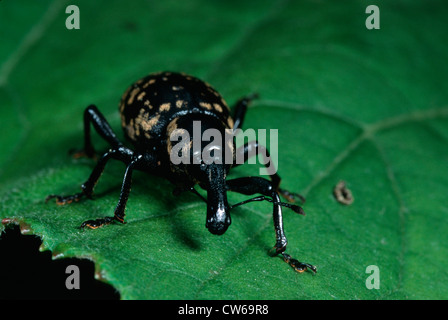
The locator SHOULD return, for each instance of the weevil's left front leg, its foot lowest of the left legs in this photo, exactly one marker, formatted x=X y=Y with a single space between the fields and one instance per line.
x=119 y=212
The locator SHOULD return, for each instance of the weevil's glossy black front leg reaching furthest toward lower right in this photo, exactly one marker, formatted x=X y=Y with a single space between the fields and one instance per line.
x=252 y=185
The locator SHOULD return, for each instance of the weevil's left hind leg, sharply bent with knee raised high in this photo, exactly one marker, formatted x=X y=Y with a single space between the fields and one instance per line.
x=102 y=127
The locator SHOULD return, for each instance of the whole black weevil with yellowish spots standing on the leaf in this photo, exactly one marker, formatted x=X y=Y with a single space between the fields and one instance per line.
x=151 y=110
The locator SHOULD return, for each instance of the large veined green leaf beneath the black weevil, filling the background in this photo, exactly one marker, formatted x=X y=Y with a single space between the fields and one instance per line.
x=365 y=106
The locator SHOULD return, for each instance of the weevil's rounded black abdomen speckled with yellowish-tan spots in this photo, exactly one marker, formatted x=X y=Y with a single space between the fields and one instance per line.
x=151 y=103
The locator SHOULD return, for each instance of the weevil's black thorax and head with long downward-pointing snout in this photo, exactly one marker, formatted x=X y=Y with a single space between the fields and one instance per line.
x=200 y=157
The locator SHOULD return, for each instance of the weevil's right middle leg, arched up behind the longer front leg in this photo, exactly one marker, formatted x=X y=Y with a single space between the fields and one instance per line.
x=253 y=148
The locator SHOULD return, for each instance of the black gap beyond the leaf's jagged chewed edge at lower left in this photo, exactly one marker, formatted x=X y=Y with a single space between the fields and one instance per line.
x=26 y=273
